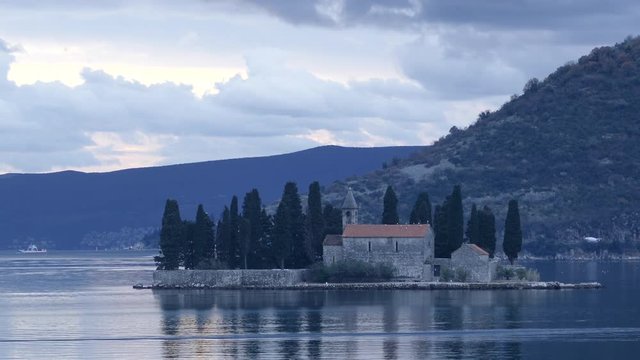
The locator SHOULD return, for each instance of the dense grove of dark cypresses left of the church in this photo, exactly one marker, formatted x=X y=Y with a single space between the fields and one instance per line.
x=247 y=236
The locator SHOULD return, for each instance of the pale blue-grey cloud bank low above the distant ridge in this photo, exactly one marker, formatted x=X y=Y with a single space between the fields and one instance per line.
x=109 y=122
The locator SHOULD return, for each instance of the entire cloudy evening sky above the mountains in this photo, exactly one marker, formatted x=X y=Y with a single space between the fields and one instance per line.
x=112 y=84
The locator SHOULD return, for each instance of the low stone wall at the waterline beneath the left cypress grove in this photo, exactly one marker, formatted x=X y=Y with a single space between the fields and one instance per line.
x=228 y=278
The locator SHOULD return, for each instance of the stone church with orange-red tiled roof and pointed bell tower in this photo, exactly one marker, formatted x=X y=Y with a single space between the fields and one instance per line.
x=409 y=248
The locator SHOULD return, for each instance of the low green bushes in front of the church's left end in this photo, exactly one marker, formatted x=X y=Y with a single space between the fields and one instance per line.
x=351 y=271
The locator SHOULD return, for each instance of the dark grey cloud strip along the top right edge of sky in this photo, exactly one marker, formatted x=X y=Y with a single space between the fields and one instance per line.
x=506 y=14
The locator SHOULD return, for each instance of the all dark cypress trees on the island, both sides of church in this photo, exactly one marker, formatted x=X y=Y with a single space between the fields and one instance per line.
x=248 y=237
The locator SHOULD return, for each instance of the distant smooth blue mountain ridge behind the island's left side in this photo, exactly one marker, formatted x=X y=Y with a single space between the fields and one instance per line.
x=74 y=210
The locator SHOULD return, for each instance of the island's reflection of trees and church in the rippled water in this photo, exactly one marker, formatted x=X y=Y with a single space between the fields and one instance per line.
x=311 y=324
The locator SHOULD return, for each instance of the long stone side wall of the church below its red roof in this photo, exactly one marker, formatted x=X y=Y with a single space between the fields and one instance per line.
x=407 y=255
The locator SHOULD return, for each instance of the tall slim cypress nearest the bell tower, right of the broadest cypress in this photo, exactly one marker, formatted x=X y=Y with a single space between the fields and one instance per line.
x=314 y=223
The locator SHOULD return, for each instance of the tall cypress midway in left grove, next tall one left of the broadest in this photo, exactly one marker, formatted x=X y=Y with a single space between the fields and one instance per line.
x=252 y=212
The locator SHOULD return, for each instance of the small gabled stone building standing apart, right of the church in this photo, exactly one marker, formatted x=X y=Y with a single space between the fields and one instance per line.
x=475 y=261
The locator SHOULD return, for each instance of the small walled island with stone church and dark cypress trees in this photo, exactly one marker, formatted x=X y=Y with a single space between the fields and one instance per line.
x=414 y=256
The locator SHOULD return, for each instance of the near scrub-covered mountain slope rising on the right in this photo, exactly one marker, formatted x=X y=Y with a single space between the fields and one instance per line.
x=568 y=149
